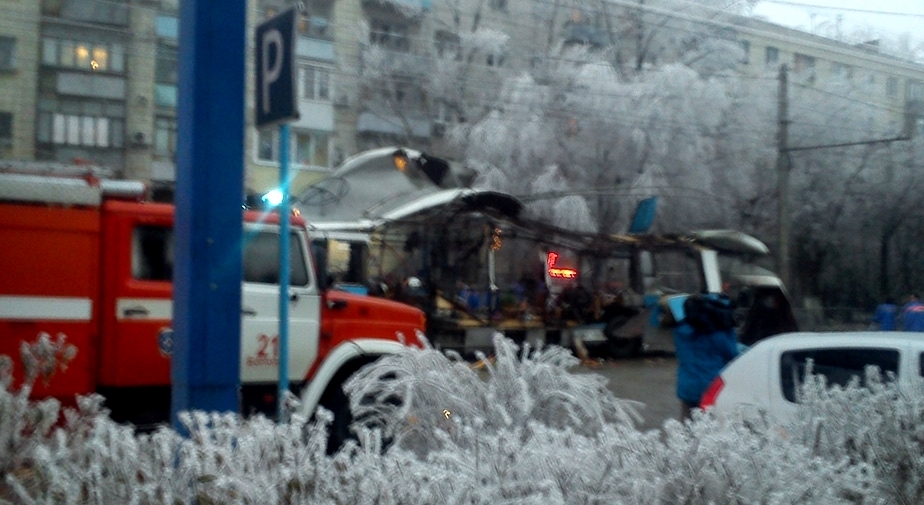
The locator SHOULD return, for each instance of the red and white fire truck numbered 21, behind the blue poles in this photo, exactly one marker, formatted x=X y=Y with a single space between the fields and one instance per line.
x=90 y=258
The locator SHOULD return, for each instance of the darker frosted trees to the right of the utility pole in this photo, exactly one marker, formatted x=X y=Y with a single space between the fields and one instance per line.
x=853 y=198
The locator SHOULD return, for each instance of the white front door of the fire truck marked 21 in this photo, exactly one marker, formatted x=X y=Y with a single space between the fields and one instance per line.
x=260 y=307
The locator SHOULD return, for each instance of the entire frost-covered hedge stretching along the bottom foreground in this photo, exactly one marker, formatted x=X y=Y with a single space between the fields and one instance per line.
x=523 y=430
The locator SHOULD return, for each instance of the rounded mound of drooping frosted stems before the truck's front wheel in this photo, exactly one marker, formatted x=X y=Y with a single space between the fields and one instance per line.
x=419 y=397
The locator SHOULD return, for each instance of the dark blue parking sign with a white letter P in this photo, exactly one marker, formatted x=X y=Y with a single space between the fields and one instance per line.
x=275 y=54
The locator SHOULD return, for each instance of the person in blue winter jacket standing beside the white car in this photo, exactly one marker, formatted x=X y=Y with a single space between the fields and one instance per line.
x=705 y=341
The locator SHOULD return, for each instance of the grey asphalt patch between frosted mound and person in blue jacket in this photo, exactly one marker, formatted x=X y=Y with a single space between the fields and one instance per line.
x=649 y=379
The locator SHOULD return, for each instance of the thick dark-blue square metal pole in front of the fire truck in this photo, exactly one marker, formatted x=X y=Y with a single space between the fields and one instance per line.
x=205 y=364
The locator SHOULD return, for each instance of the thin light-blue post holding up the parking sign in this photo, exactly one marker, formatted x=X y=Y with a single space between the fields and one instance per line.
x=283 y=272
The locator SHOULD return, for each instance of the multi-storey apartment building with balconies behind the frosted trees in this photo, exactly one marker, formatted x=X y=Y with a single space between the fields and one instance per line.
x=96 y=80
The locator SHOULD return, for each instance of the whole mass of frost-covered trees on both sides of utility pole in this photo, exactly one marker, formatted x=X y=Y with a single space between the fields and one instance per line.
x=583 y=108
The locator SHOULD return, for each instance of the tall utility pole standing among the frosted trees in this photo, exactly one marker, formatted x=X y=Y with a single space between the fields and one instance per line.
x=782 y=171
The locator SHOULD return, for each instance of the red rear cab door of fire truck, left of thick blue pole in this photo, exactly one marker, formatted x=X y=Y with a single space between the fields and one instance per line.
x=136 y=262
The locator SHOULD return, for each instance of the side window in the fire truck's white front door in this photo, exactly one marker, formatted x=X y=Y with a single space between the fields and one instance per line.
x=261 y=259
